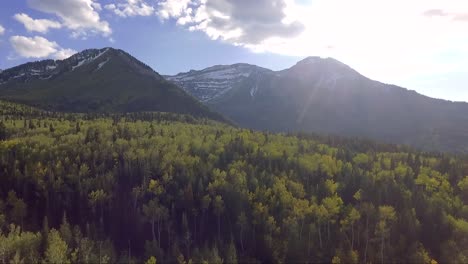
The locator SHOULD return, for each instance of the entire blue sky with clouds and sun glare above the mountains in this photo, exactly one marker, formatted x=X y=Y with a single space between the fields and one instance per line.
x=421 y=45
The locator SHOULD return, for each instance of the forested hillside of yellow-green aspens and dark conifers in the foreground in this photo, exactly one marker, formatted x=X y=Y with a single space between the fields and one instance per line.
x=162 y=187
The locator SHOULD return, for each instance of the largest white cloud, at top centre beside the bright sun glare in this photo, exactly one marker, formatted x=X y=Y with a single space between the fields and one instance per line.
x=238 y=22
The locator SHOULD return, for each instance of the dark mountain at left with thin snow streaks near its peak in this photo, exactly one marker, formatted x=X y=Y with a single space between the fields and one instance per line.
x=97 y=80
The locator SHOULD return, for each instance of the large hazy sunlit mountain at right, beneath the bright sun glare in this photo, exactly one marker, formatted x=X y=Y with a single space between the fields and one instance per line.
x=324 y=95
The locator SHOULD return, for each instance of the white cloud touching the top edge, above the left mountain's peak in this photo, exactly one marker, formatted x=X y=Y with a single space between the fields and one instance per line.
x=81 y=16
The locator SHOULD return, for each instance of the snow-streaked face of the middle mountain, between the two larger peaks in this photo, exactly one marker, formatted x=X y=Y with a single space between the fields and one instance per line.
x=214 y=81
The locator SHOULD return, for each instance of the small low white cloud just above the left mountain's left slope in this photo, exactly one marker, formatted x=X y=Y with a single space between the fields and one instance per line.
x=38 y=47
